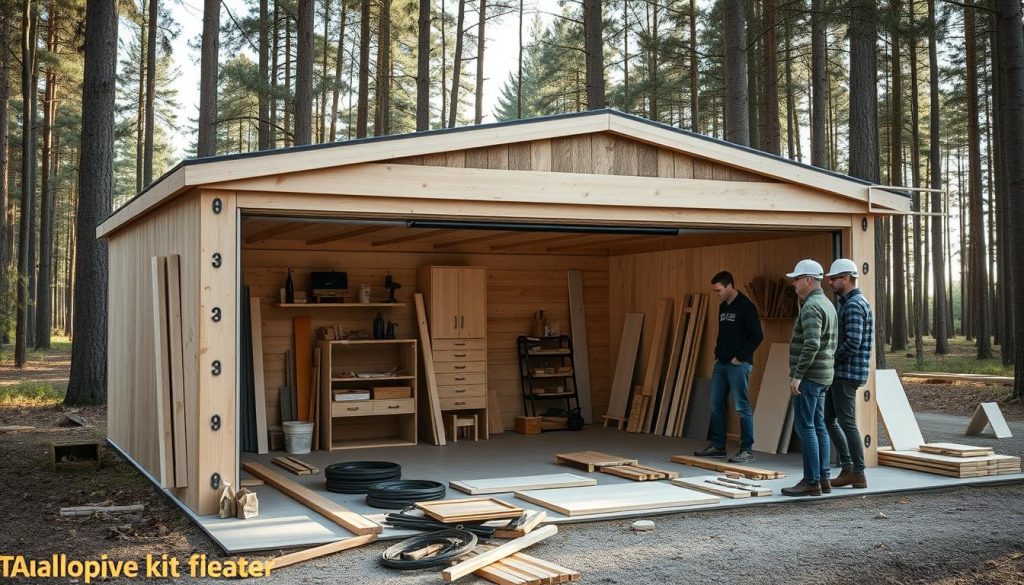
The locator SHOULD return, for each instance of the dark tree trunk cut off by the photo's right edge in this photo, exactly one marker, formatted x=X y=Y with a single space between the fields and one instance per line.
x=1011 y=50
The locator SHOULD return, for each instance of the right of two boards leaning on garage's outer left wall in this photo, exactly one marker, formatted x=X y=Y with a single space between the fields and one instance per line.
x=180 y=429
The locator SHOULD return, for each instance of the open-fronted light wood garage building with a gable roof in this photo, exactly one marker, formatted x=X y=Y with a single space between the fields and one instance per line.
x=645 y=212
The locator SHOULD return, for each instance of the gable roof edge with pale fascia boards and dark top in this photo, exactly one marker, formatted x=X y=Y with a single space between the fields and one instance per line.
x=211 y=171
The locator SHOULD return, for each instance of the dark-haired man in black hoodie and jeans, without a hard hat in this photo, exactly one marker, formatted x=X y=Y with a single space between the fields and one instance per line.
x=739 y=336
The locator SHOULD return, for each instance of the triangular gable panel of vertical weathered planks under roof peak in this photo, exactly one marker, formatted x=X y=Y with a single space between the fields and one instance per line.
x=601 y=153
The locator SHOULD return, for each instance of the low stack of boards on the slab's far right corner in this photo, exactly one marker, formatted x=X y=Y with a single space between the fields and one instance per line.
x=963 y=466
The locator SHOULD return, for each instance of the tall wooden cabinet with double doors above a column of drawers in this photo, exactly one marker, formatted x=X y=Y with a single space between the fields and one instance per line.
x=457 y=312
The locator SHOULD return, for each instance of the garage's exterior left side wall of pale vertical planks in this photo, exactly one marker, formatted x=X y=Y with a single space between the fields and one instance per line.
x=132 y=414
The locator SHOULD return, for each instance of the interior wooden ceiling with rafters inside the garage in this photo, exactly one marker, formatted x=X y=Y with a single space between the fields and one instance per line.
x=282 y=233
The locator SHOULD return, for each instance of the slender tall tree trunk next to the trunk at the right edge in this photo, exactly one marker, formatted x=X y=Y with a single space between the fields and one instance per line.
x=979 y=268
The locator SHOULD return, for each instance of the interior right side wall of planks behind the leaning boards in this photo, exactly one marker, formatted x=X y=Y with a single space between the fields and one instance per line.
x=641 y=281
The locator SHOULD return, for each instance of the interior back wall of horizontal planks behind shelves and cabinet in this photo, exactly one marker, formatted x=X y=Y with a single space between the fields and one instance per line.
x=518 y=285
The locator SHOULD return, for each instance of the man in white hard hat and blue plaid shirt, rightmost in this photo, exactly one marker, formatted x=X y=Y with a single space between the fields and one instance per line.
x=854 y=359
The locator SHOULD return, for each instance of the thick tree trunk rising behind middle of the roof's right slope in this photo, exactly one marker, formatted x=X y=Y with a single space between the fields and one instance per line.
x=738 y=129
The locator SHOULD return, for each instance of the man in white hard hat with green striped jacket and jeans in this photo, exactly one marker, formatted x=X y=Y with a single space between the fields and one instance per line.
x=813 y=352
